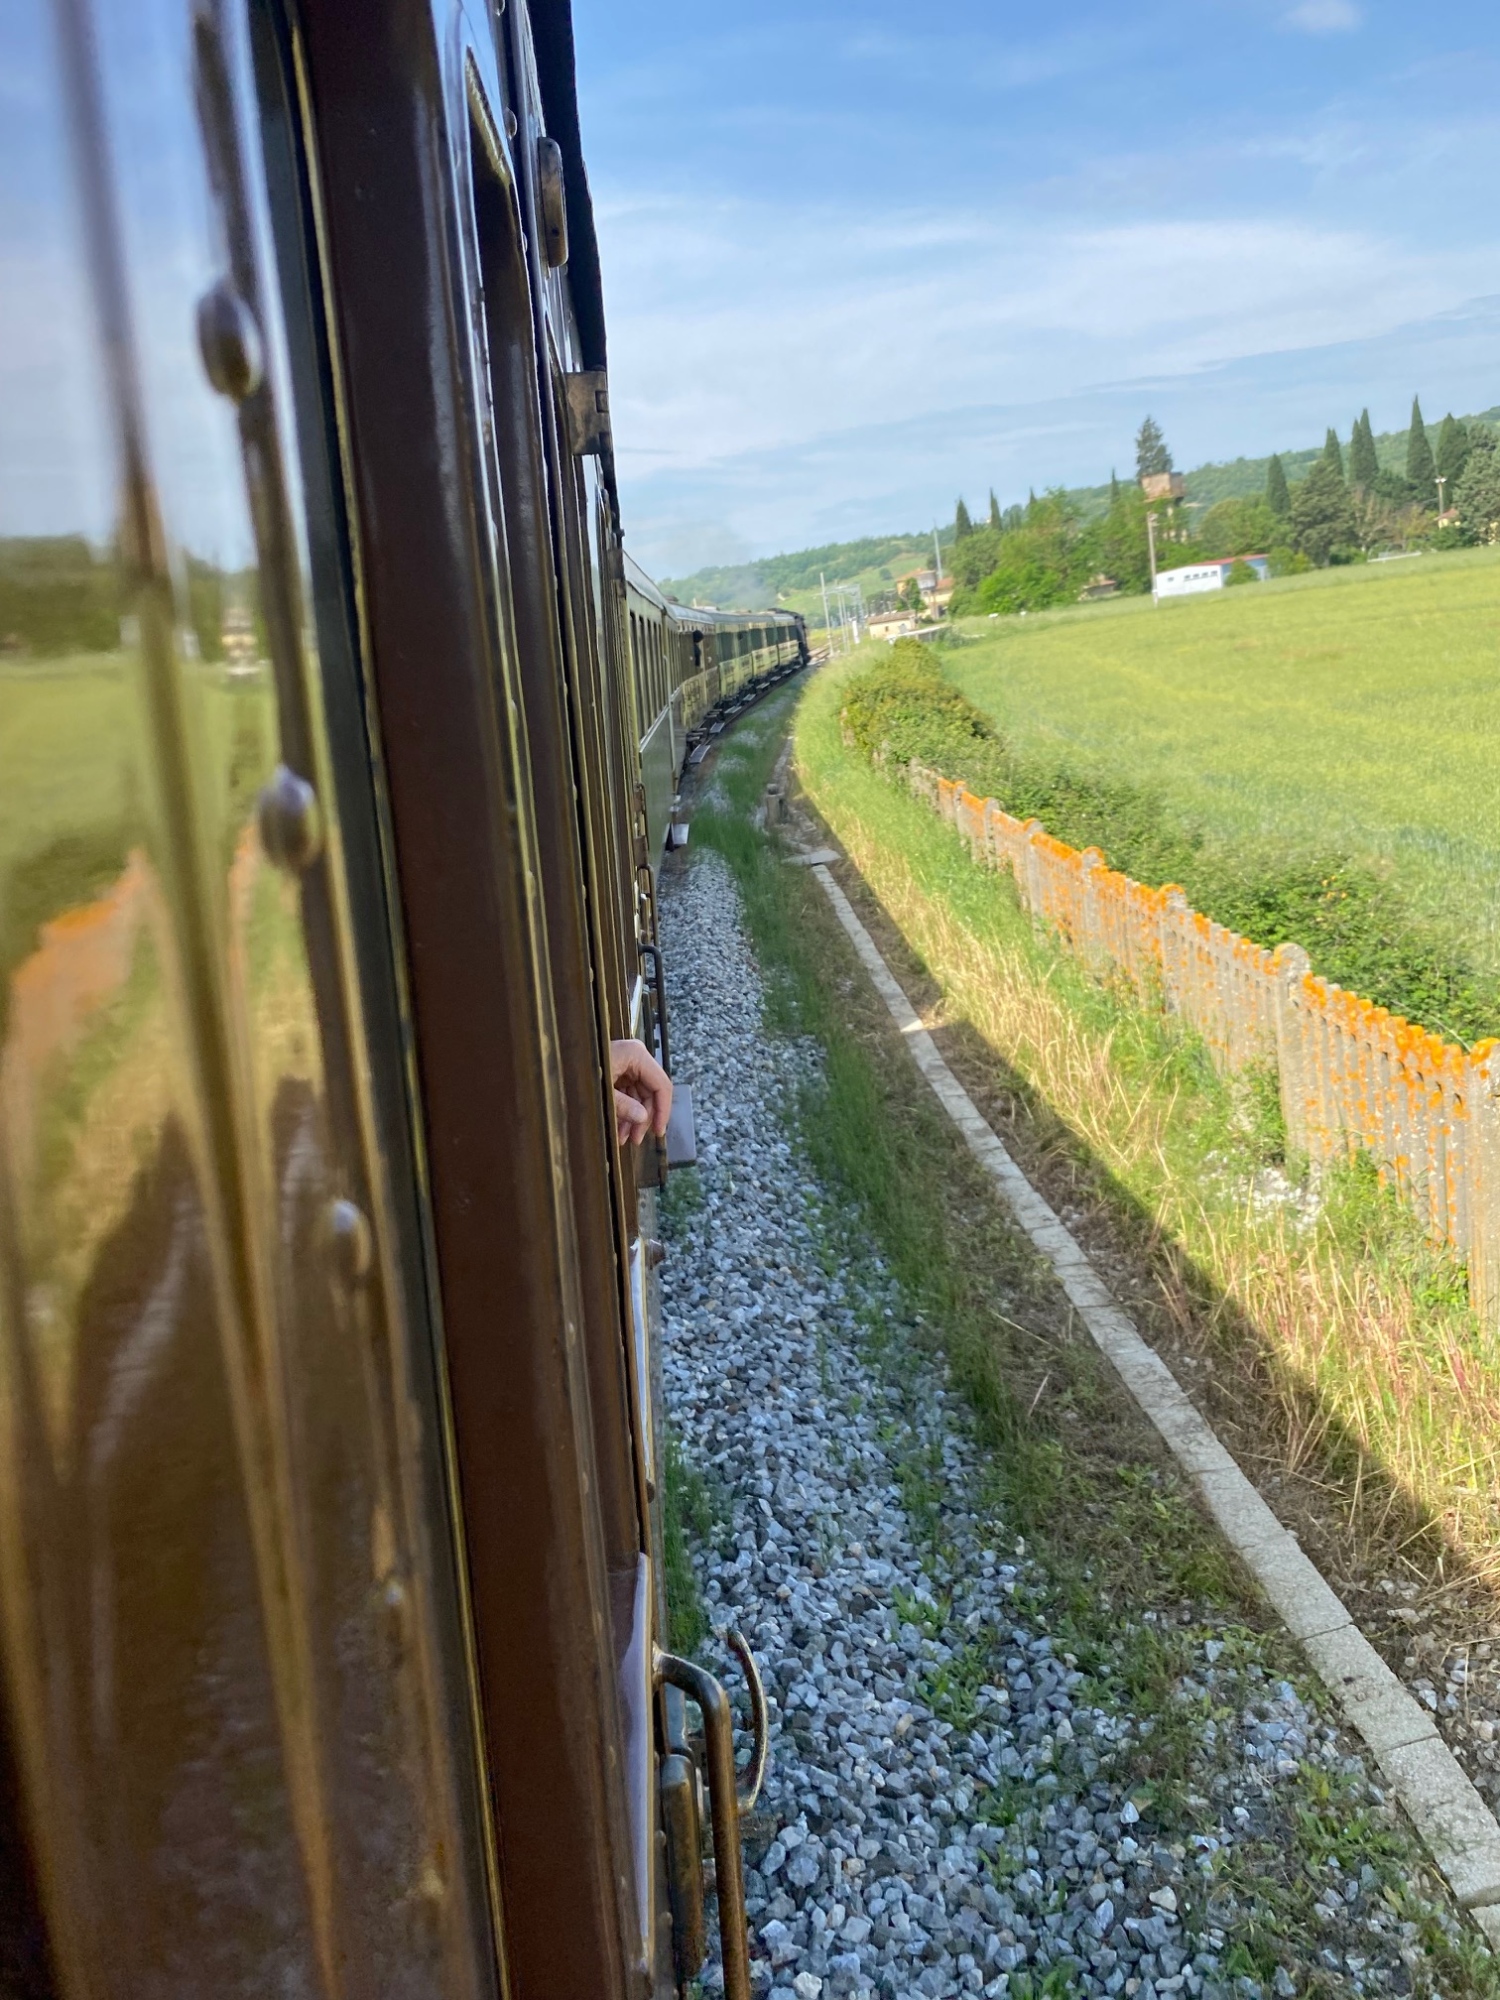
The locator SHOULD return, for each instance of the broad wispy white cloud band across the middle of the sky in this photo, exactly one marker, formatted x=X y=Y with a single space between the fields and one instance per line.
x=743 y=327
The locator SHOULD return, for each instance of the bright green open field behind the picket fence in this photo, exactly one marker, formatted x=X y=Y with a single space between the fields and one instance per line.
x=1351 y=711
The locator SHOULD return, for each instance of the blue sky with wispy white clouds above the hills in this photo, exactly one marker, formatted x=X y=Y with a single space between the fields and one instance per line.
x=861 y=259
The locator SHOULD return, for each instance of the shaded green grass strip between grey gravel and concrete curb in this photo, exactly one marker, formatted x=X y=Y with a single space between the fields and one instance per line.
x=1045 y=1403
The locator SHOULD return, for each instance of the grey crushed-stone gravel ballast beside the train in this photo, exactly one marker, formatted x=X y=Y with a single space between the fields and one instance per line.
x=949 y=1805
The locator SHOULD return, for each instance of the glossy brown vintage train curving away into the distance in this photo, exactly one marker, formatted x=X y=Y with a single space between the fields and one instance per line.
x=339 y=745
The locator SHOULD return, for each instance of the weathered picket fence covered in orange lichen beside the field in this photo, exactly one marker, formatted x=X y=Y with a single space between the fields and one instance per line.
x=1353 y=1077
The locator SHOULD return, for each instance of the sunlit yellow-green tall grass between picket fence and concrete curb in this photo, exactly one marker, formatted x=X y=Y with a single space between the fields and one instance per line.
x=1369 y=1367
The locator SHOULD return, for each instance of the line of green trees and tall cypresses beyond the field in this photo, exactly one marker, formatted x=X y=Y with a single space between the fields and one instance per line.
x=1347 y=509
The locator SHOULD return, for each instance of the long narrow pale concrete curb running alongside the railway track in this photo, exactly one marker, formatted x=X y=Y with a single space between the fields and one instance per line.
x=1421 y=1769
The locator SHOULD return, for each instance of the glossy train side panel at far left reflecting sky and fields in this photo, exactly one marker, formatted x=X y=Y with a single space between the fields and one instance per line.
x=209 y=1571
